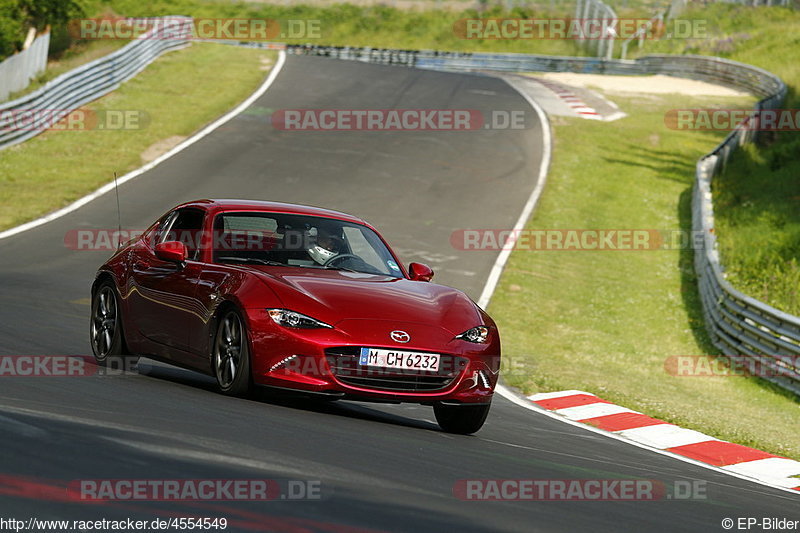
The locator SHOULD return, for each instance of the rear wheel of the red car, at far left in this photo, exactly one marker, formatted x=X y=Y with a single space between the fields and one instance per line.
x=106 y=333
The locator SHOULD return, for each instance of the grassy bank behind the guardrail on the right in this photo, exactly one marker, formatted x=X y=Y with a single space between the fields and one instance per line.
x=757 y=200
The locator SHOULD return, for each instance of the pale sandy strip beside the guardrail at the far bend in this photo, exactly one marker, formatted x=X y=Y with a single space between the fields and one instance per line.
x=658 y=84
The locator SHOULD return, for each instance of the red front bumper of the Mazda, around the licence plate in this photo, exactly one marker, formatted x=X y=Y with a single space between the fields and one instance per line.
x=325 y=361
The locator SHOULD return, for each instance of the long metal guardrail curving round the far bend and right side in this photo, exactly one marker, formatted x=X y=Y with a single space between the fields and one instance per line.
x=744 y=329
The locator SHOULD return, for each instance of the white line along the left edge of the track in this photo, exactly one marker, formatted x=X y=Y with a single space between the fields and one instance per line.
x=141 y=170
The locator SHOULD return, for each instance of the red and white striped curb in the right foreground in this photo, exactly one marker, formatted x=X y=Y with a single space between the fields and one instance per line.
x=589 y=409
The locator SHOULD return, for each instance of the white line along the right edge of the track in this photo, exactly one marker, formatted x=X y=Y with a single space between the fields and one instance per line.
x=491 y=285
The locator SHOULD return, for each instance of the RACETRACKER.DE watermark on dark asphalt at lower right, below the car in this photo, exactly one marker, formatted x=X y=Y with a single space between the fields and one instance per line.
x=553 y=490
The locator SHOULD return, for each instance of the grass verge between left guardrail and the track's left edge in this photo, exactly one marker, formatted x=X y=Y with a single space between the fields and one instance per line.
x=180 y=92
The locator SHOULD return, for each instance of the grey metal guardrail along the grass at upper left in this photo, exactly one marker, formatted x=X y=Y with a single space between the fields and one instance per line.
x=33 y=113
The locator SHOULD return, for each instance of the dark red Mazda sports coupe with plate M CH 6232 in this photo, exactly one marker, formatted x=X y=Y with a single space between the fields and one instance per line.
x=299 y=298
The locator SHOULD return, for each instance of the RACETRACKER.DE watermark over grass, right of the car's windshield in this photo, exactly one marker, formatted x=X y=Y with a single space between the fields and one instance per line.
x=574 y=239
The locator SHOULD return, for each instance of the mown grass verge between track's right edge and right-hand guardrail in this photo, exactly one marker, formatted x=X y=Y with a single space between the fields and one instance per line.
x=606 y=321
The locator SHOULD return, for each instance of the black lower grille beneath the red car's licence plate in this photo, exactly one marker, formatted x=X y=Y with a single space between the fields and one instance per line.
x=343 y=362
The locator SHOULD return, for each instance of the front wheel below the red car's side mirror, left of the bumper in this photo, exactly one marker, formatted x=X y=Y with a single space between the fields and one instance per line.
x=230 y=355
